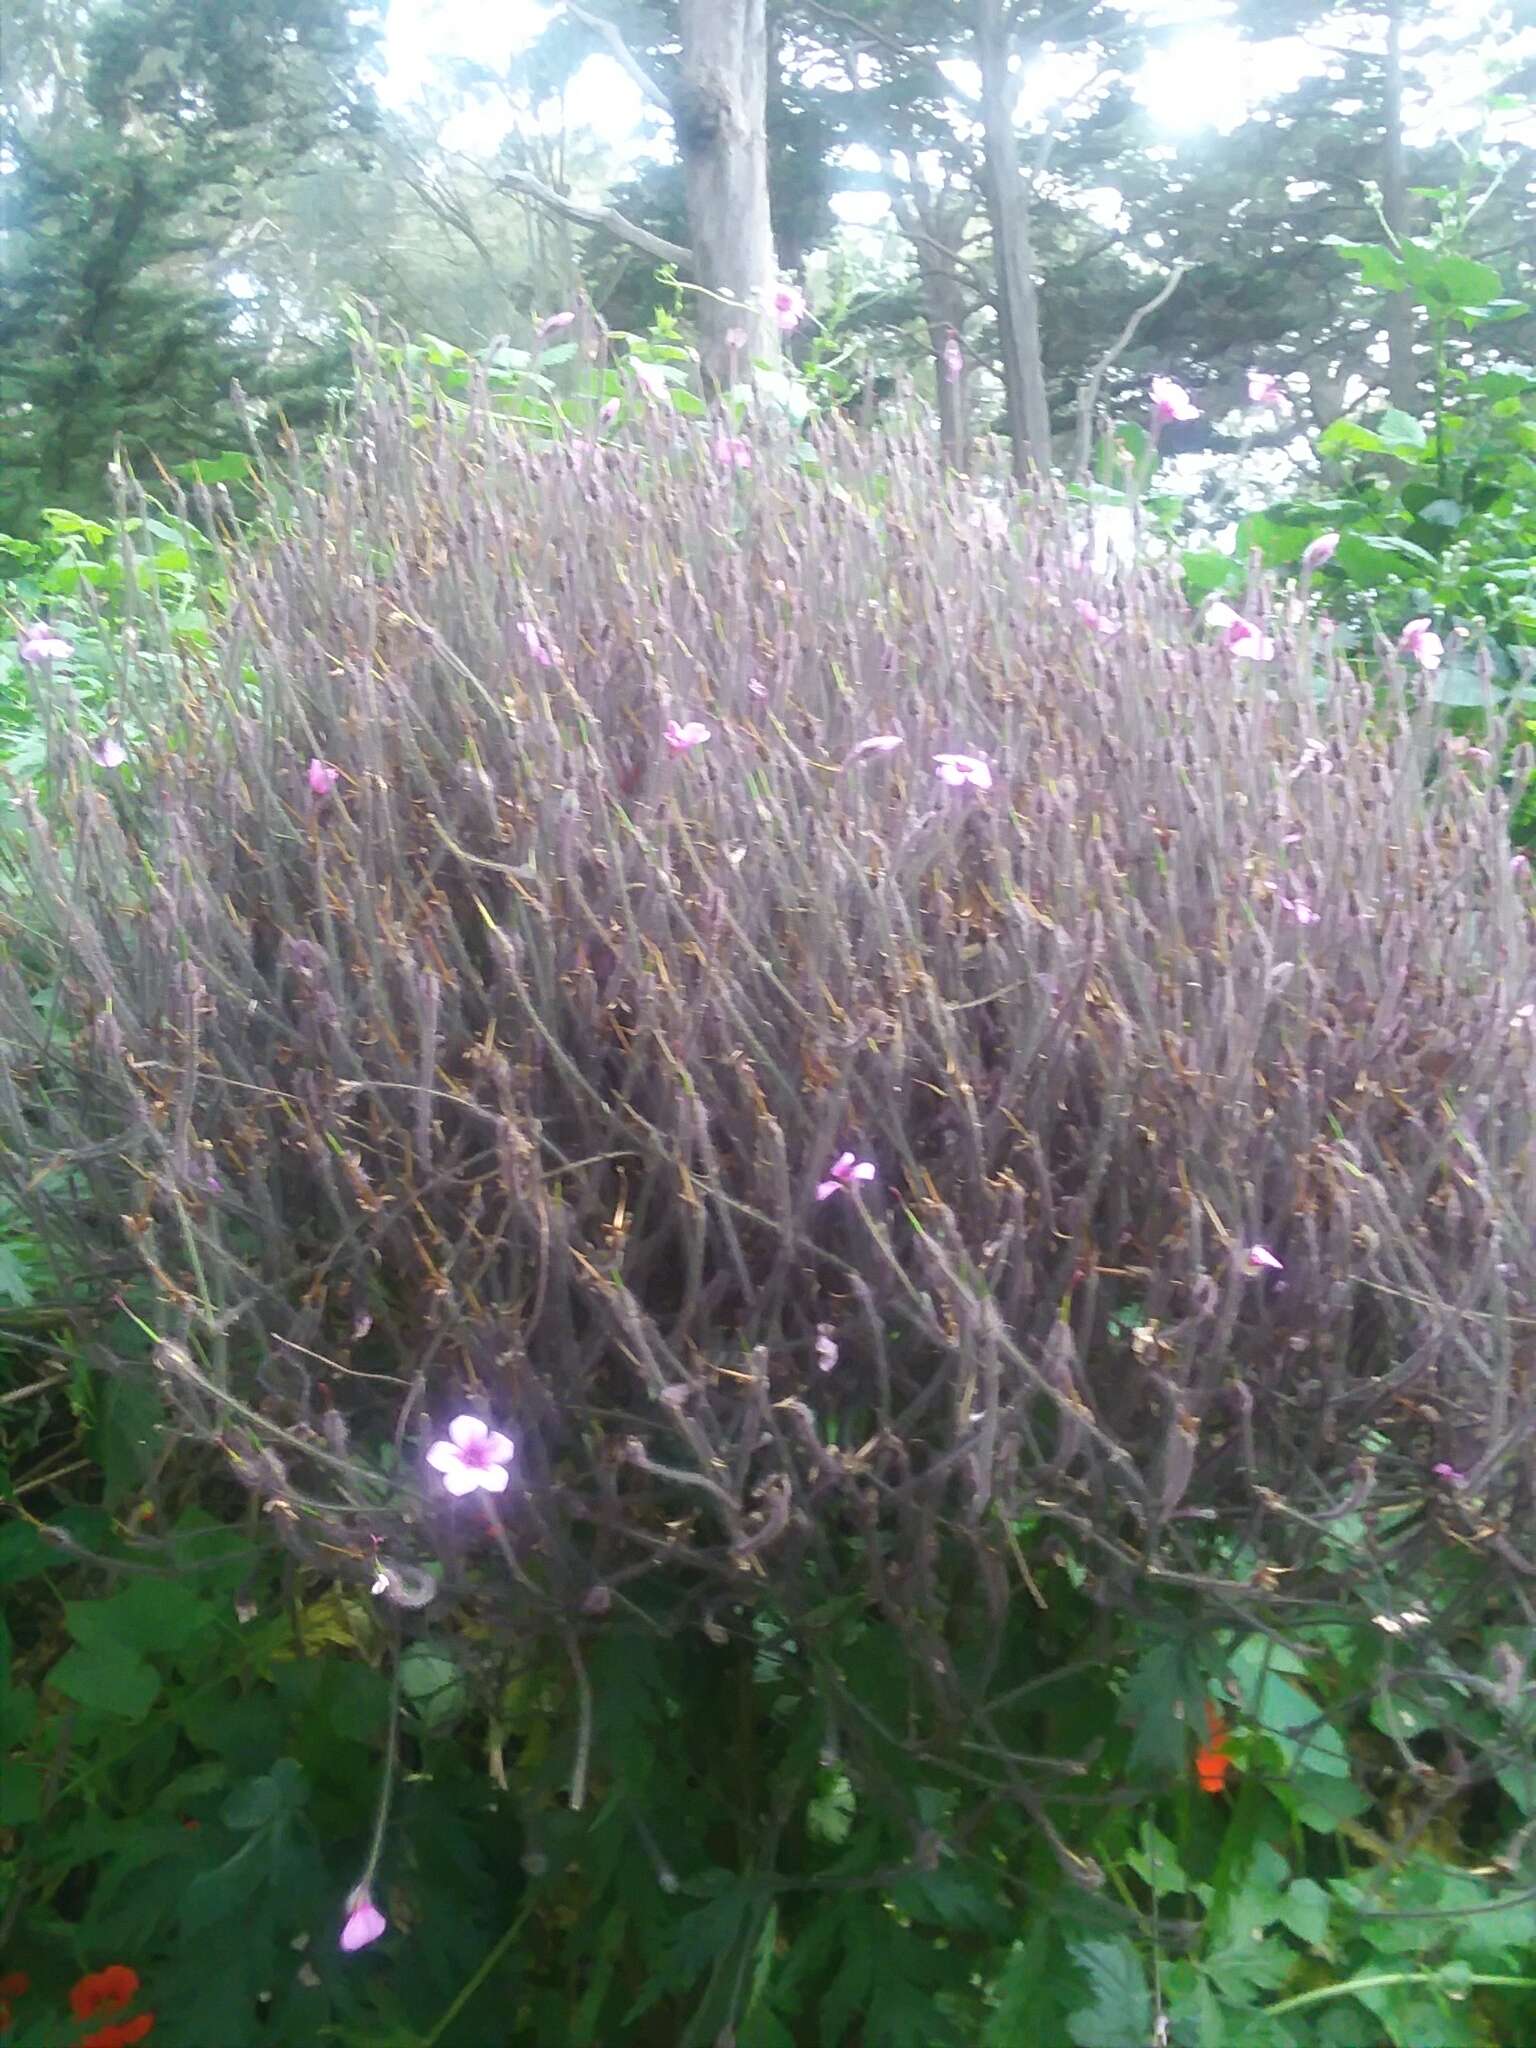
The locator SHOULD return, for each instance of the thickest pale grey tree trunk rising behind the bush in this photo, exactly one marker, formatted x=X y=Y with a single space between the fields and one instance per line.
x=720 y=114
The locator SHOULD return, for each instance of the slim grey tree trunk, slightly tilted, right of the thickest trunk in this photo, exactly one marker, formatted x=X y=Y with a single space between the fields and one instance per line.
x=1009 y=204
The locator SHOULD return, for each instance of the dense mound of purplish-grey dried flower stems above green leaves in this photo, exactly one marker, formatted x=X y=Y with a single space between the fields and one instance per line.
x=507 y=1072
